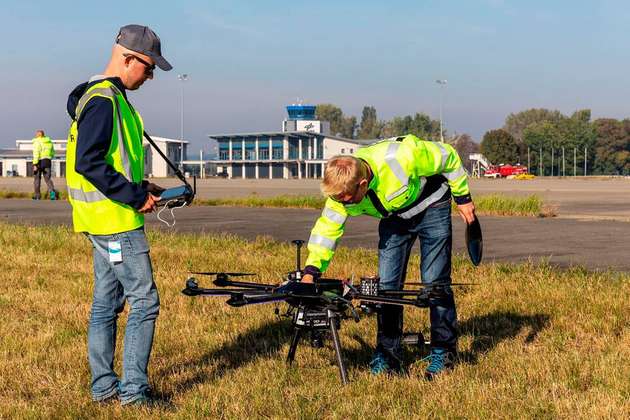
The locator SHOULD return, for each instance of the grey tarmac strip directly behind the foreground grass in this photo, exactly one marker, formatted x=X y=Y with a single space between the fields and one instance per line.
x=594 y=244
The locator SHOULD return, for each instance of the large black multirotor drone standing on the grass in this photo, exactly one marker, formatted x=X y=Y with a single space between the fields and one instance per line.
x=318 y=307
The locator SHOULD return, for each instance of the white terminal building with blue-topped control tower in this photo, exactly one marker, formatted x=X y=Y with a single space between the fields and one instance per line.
x=299 y=151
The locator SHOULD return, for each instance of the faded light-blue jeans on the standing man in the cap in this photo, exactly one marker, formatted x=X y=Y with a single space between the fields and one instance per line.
x=130 y=280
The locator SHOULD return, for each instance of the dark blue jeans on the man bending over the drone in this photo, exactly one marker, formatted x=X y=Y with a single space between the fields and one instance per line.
x=396 y=239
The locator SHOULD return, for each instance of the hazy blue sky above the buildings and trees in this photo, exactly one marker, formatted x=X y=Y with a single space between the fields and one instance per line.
x=248 y=59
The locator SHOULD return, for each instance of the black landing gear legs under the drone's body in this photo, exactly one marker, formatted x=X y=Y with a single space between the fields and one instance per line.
x=318 y=321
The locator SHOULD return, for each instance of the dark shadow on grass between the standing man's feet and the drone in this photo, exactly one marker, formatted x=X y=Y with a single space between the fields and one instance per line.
x=265 y=340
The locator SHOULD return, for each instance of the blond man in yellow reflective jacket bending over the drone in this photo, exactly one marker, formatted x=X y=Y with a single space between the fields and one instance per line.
x=407 y=183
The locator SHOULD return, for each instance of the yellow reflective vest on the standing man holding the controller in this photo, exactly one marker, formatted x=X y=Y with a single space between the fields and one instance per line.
x=92 y=211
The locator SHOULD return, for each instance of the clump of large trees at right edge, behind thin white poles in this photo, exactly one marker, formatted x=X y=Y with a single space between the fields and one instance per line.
x=542 y=136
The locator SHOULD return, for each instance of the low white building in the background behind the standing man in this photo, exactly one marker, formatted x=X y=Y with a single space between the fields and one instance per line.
x=19 y=161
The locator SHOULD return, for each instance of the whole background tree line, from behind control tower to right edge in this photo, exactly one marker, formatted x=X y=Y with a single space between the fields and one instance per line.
x=537 y=136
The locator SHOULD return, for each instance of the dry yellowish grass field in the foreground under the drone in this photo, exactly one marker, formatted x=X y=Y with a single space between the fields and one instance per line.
x=535 y=341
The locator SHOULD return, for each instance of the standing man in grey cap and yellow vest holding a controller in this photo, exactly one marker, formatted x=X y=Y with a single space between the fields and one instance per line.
x=105 y=170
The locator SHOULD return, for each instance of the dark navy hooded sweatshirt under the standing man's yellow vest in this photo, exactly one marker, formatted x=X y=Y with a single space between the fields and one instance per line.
x=95 y=127
